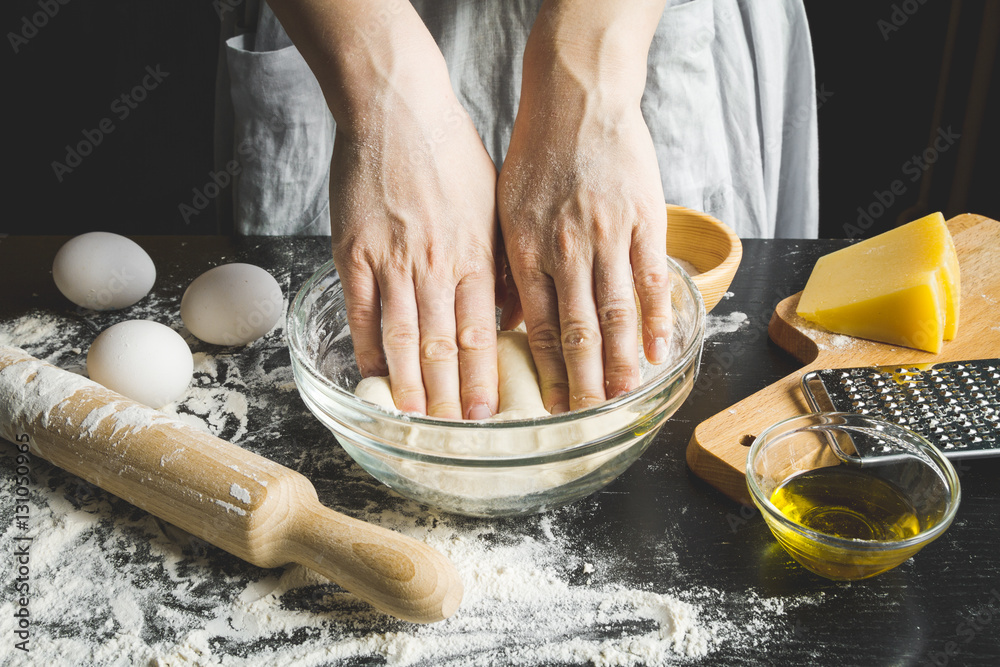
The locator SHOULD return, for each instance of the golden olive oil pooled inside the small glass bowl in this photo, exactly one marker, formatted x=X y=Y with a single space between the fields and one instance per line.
x=847 y=503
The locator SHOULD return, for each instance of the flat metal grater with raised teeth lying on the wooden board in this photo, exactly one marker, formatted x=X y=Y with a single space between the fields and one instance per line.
x=955 y=405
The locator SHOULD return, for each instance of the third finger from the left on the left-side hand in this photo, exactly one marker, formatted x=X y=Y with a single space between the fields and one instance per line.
x=439 y=348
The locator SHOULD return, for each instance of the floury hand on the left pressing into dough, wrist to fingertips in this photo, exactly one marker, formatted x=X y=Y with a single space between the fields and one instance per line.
x=415 y=241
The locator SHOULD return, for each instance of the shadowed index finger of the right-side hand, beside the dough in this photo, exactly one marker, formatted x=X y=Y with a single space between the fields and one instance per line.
x=541 y=319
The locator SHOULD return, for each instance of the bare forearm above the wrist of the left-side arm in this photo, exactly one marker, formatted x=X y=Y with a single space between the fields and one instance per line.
x=362 y=51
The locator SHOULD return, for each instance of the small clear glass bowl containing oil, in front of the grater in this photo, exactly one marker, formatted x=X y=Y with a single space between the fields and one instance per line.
x=889 y=455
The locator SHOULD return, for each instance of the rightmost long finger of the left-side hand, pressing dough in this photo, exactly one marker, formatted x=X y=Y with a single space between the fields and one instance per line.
x=475 y=317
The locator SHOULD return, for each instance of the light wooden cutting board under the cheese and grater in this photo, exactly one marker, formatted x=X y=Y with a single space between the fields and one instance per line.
x=718 y=448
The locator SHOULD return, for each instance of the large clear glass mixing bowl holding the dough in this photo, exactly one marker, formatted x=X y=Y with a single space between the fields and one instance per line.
x=485 y=468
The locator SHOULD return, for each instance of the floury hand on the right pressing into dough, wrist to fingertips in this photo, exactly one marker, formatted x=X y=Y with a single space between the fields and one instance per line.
x=583 y=218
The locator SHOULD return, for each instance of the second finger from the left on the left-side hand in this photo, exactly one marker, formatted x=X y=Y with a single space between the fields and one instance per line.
x=401 y=342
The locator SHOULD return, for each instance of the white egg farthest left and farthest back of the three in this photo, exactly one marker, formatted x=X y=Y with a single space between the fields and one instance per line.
x=103 y=271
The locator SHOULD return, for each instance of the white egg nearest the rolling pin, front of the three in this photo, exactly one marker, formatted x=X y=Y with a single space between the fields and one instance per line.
x=143 y=360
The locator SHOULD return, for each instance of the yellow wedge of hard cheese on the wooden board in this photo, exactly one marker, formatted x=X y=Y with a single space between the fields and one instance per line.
x=900 y=287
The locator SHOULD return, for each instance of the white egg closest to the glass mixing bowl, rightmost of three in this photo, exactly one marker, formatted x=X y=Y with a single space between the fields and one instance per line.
x=232 y=304
